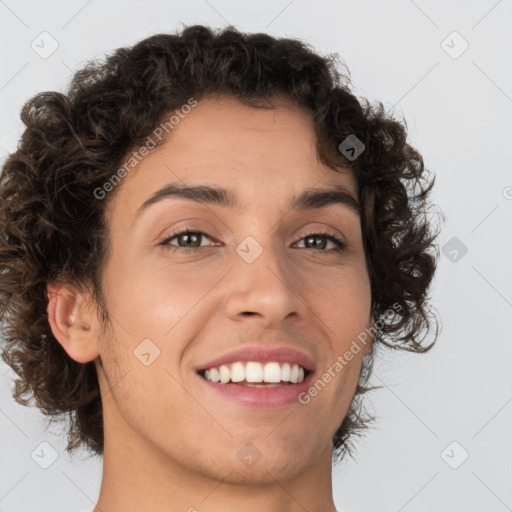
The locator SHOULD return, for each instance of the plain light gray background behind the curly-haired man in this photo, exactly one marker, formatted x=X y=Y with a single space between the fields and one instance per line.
x=458 y=111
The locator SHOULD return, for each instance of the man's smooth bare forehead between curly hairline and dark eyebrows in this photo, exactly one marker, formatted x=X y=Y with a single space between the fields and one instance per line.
x=265 y=156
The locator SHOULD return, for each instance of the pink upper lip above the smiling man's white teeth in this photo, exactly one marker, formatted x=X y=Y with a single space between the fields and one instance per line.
x=262 y=354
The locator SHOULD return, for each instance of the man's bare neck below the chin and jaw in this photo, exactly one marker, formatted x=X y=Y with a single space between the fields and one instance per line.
x=137 y=476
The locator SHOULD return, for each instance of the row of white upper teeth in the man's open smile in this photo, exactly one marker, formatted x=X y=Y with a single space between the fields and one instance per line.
x=256 y=372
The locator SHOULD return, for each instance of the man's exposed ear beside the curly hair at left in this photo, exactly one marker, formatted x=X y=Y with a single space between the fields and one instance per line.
x=73 y=322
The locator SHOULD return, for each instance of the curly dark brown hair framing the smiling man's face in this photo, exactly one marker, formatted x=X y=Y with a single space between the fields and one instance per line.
x=53 y=229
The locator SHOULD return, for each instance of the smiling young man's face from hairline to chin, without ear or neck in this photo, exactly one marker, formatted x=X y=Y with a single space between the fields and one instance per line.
x=260 y=278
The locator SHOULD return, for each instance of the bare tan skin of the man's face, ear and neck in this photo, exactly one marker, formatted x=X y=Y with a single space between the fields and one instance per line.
x=171 y=443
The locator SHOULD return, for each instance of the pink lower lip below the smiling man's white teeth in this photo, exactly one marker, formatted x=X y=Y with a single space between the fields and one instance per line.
x=261 y=397
